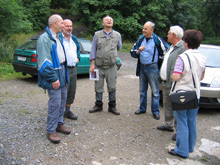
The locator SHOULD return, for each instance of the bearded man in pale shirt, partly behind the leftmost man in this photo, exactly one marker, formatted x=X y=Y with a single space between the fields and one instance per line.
x=72 y=49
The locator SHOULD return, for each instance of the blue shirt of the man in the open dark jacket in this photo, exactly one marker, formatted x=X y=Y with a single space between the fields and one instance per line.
x=146 y=56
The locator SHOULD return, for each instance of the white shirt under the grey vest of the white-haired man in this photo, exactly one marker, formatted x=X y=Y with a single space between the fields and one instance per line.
x=163 y=70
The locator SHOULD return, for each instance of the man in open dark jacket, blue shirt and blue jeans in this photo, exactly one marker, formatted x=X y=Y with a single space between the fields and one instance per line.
x=148 y=49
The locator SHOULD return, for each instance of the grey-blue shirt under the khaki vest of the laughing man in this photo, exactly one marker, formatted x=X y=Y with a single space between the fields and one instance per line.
x=94 y=45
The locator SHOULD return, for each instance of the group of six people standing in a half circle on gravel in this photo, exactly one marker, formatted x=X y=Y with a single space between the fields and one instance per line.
x=58 y=53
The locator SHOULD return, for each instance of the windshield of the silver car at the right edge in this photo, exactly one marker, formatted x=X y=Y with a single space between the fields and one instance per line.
x=212 y=55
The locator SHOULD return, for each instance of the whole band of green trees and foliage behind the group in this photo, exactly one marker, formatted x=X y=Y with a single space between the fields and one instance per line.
x=21 y=19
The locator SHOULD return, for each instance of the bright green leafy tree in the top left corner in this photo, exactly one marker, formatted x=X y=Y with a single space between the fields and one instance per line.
x=12 y=18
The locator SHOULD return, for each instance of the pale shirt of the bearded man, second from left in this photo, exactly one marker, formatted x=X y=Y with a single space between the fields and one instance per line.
x=70 y=48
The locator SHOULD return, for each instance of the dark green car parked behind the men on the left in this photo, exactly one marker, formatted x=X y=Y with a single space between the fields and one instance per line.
x=25 y=58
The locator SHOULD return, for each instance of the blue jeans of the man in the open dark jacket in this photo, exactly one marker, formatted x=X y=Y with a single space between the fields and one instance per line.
x=149 y=75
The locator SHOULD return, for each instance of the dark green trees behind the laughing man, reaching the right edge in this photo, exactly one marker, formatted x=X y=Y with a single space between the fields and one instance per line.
x=129 y=16
